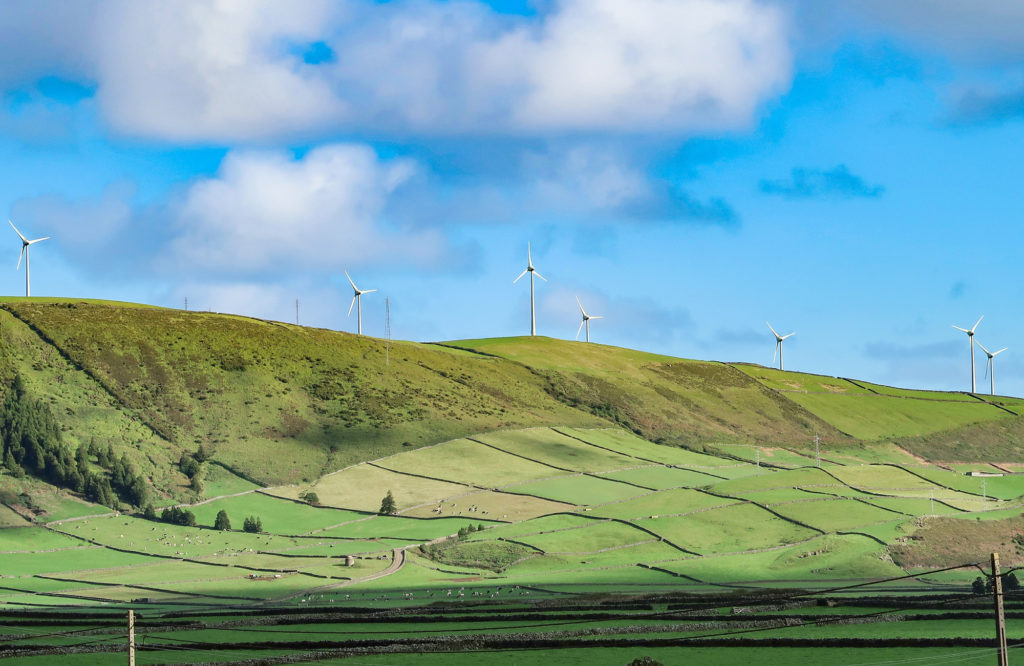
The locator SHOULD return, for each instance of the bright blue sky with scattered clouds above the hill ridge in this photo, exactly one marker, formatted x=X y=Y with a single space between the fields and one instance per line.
x=690 y=170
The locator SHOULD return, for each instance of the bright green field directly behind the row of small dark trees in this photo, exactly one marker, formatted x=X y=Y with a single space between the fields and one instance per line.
x=278 y=516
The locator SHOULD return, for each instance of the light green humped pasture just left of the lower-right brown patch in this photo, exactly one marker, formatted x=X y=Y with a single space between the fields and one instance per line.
x=826 y=558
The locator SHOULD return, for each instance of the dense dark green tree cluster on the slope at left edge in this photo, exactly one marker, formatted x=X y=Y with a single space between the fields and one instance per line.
x=33 y=445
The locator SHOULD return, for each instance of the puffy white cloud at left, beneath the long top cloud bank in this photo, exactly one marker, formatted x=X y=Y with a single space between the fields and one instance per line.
x=267 y=212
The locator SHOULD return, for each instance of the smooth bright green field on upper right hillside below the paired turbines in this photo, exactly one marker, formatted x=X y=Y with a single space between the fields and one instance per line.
x=876 y=418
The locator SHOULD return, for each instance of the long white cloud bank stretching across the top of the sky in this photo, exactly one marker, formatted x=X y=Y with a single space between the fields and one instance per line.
x=224 y=72
